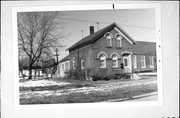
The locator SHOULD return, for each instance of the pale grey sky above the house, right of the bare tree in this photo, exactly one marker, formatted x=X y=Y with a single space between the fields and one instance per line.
x=138 y=23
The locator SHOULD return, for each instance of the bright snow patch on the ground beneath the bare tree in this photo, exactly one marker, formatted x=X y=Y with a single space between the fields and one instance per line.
x=41 y=83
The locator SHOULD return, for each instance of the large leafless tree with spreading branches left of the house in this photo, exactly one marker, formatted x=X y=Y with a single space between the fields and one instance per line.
x=38 y=36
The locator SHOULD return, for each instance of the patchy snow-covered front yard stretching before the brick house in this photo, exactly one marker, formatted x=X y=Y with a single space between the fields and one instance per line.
x=65 y=92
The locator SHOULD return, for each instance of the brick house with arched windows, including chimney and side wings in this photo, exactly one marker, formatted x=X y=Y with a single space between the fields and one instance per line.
x=108 y=51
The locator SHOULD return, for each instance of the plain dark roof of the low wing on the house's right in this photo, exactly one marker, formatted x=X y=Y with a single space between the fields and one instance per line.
x=144 y=48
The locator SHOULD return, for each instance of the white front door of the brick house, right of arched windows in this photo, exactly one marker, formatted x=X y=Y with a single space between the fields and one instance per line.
x=127 y=63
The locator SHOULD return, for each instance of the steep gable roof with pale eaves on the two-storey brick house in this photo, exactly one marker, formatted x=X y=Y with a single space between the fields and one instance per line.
x=95 y=36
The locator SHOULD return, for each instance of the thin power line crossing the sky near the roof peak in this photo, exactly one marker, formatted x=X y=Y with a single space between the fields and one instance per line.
x=135 y=26
